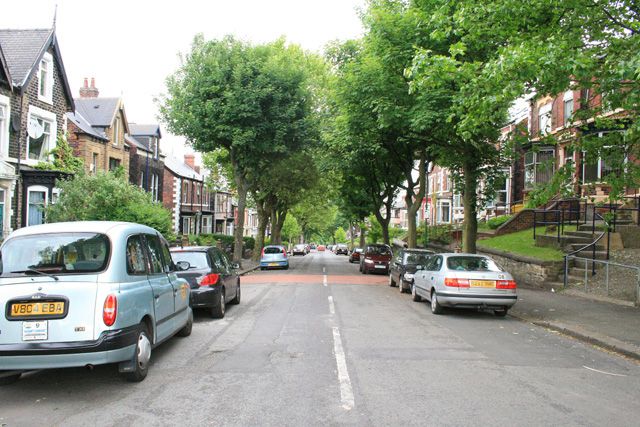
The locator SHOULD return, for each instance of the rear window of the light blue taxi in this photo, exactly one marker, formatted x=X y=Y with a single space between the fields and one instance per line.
x=59 y=253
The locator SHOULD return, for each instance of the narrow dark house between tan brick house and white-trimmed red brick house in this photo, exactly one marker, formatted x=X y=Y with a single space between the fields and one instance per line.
x=146 y=164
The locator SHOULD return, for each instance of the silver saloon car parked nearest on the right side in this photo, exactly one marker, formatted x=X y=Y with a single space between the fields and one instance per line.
x=465 y=281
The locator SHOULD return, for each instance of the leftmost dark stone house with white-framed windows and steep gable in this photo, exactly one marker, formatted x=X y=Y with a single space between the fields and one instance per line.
x=34 y=100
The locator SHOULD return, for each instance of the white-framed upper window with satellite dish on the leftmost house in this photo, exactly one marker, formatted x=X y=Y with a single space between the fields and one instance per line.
x=41 y=131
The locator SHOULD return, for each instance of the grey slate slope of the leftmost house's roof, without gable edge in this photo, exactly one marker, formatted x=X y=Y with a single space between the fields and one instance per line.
x=22 y=48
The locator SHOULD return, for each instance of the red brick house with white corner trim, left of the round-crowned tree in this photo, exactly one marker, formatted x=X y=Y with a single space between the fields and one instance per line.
x=186 y=195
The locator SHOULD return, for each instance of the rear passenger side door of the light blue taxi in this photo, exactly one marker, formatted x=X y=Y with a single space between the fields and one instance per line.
x=162 y=289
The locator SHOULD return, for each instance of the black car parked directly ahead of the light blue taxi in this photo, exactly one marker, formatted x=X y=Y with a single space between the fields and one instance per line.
x=213 y=279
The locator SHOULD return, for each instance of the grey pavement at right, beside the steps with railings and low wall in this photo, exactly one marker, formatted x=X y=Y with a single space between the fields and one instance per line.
x=613 y=326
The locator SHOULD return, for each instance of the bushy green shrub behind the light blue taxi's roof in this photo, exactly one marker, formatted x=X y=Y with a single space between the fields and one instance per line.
x=107 y=197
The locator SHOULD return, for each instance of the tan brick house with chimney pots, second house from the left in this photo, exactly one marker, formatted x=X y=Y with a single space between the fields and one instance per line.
x=97 y=129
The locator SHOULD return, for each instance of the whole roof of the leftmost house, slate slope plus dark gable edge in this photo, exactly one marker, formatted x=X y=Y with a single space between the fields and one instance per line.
x=23 y=50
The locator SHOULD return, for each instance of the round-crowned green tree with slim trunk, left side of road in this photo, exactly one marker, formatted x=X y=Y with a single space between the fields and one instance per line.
x=254 y=102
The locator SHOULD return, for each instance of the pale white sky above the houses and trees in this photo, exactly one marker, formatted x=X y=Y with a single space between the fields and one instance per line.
x=130 y=47
